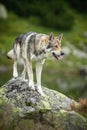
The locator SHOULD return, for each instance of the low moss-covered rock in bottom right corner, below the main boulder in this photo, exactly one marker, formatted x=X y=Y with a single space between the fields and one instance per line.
x=66 y=120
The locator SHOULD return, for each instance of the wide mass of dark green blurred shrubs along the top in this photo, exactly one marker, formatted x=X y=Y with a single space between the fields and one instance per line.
x=56 y=14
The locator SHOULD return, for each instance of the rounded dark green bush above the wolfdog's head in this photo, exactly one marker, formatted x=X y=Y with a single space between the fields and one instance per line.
x=63 y=20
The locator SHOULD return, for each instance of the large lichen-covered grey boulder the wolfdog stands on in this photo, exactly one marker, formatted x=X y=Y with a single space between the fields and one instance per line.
x=23 y=108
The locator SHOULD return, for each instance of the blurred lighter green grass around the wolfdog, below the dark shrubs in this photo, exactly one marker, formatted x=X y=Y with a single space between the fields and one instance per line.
x=53 y=71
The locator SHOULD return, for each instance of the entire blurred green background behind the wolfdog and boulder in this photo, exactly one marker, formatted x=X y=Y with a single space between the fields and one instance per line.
x=68 y=75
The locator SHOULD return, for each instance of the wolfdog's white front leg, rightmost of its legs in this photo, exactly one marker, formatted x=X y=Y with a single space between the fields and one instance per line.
x=39 y=66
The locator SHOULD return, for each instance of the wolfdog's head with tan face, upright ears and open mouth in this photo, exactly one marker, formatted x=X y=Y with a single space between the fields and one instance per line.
x=54 y=46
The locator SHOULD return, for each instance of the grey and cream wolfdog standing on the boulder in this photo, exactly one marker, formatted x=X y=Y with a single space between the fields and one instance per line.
x=37 y=47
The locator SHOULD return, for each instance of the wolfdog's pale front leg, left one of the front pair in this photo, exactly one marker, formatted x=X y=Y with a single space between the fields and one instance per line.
x=30 y=74
